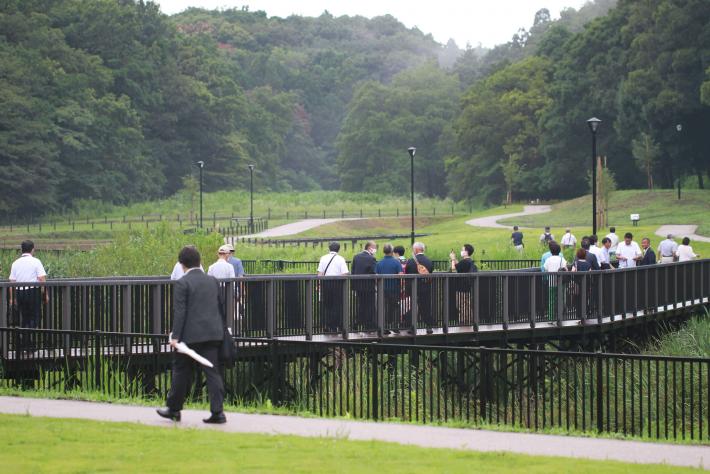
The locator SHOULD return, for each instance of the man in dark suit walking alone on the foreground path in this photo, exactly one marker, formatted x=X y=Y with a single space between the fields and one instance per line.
x=198 y=322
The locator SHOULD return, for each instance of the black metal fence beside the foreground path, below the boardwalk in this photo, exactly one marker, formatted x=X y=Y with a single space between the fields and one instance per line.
x=649 y=396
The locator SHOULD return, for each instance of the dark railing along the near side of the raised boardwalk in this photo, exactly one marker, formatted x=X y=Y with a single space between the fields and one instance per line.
x=278 y=306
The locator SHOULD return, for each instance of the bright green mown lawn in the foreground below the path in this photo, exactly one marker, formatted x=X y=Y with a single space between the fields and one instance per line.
x=57 y=445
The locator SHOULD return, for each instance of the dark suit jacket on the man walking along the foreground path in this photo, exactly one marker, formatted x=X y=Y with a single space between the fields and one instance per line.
x=198 y=303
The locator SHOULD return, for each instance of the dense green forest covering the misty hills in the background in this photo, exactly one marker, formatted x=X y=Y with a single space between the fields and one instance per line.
x=112 y=100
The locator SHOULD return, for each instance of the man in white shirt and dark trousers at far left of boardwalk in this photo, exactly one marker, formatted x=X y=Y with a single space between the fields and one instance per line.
x=28 y=269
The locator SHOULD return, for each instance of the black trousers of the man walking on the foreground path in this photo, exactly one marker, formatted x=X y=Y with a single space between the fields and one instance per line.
x=183 y=368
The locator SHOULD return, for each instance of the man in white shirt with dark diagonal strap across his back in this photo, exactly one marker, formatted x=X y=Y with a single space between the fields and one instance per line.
x=332 y=264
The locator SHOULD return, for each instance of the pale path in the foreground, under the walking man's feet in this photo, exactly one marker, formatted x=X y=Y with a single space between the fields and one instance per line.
x=418 y=435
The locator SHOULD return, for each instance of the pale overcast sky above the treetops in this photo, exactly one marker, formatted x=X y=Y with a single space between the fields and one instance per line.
x=488 y=22
